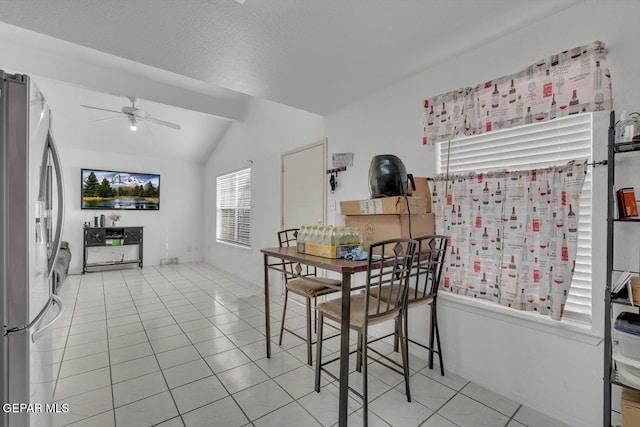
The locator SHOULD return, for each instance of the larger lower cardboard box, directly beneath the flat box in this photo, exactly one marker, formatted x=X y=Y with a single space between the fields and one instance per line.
x=381 y=227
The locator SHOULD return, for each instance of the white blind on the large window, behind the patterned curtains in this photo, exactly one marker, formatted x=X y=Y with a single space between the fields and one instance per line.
x=534 y=146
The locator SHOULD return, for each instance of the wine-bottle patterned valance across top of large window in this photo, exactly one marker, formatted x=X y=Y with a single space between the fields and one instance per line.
x=571 y=82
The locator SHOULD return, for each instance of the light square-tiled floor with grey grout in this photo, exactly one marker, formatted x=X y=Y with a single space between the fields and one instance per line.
x=183 y=345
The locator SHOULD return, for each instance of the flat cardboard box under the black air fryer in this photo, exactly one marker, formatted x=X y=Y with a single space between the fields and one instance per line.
x=385 y=205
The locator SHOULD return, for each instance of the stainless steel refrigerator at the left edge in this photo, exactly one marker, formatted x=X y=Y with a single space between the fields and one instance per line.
x=31 y=218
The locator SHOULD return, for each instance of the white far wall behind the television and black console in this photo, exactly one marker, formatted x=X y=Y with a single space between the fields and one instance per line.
x=173 y=231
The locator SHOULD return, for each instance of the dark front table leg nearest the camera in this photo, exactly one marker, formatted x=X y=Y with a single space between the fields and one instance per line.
x=344 y=350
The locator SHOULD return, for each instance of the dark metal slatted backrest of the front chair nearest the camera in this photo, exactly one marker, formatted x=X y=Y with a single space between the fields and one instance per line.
x=390 y=268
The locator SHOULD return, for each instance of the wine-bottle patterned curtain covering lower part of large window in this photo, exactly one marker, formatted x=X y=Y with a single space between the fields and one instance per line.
x=513 y=235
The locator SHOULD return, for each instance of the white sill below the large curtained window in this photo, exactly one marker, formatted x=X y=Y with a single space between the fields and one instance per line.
x=566 y=328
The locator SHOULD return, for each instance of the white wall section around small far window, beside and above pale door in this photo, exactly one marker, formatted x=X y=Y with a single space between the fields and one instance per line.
x=268 y=130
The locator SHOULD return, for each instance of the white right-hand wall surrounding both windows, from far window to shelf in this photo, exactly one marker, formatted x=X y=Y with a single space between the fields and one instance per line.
x=555 y=370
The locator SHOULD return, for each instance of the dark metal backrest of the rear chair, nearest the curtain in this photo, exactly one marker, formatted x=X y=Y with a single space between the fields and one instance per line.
x=427 y=267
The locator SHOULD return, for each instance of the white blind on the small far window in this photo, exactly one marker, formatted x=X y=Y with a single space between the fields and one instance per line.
x=233 y=207
